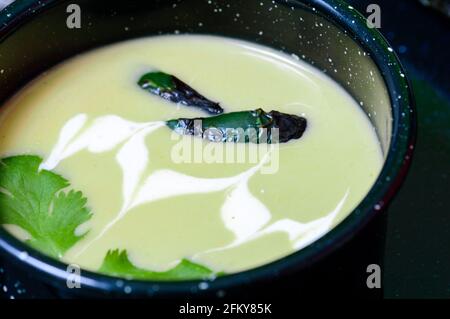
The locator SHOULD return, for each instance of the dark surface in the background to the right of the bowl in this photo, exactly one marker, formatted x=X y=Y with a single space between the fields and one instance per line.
x=416 y=258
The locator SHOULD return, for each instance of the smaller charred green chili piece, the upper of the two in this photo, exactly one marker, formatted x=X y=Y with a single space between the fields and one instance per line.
x=171 y=88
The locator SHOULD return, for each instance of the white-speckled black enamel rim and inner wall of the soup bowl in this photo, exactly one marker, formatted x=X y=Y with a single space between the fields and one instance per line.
x=330 y=35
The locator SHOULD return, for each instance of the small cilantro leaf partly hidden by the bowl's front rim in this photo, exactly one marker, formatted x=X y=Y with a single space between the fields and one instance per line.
x=116 y=263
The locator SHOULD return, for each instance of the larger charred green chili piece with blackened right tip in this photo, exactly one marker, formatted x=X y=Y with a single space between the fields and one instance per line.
x=254 y=126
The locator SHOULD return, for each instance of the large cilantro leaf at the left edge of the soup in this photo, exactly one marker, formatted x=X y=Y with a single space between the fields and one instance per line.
x=35 y=200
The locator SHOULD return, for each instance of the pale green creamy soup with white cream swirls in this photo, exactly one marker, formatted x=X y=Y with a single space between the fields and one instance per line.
x=164 y=203
